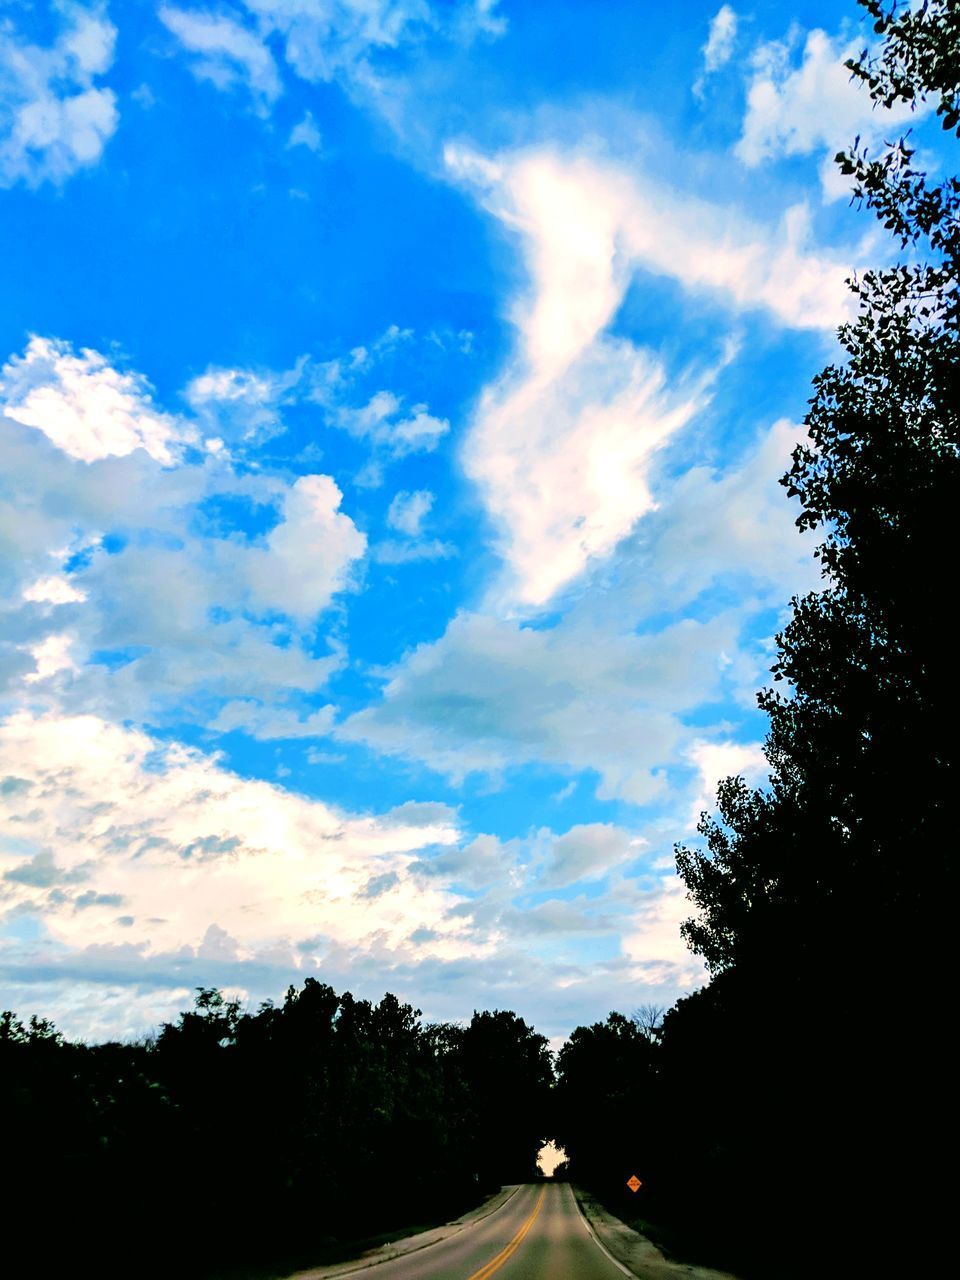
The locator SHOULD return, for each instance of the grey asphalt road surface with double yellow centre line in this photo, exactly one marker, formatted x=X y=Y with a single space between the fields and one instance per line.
x=538 y=1235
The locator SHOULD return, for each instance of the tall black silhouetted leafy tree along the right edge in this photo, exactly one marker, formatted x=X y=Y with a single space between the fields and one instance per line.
x=833 y=890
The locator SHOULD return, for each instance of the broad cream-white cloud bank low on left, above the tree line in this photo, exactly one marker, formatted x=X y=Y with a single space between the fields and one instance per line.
x=196 y=857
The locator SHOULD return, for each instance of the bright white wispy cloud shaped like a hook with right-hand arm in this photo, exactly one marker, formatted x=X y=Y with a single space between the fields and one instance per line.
x=563 y=442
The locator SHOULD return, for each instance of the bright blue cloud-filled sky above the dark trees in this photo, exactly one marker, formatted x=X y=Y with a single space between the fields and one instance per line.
x=394 y=400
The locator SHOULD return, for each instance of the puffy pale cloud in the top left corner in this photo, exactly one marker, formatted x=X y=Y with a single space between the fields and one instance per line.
x=54 y=118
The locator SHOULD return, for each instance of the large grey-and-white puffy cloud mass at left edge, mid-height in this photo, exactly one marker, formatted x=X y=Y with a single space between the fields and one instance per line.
x=120 y=595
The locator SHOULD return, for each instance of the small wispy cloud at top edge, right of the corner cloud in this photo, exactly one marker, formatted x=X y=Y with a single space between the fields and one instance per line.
x=227 y=53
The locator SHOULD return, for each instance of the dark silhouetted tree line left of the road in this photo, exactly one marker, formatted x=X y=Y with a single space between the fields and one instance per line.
x=267 y=1139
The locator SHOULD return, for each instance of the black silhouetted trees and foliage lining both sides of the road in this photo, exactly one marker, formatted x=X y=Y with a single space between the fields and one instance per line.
x=796 y=1117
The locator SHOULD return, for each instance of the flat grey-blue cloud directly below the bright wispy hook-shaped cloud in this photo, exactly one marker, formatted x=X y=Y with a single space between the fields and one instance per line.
x=492 y=694
